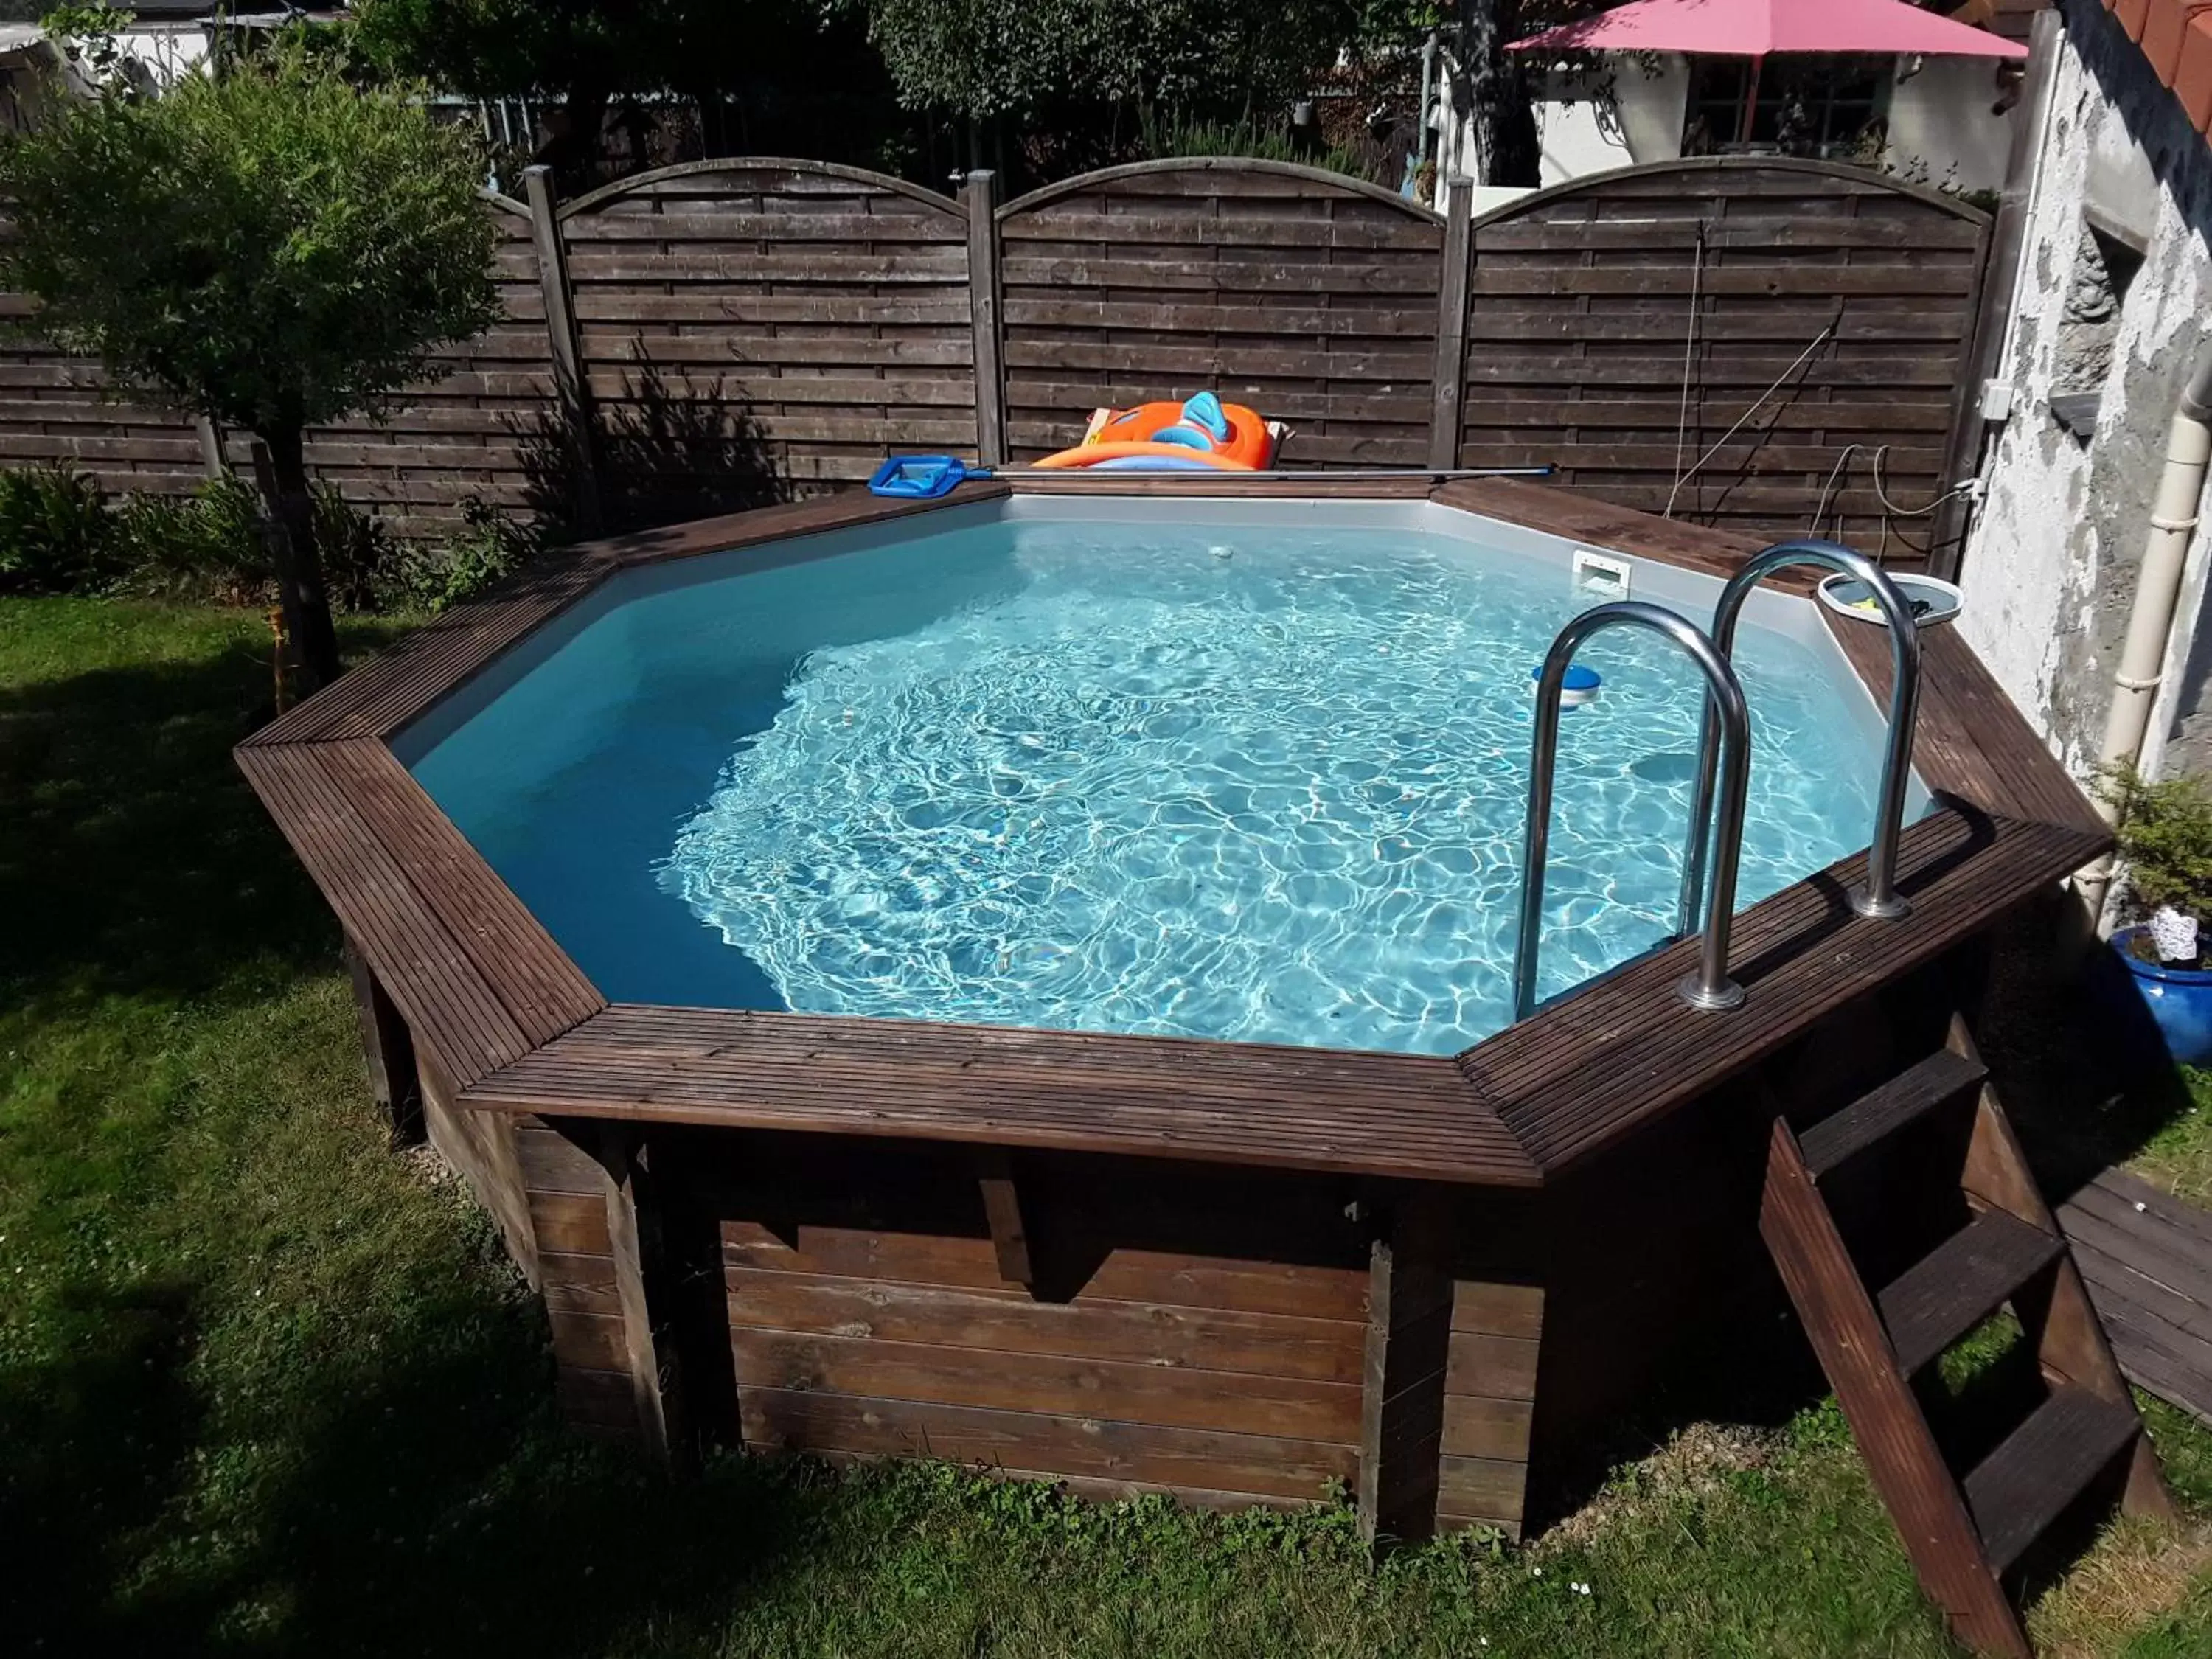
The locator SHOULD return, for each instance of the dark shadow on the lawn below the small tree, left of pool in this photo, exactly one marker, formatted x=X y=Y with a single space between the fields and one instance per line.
x=132 y=853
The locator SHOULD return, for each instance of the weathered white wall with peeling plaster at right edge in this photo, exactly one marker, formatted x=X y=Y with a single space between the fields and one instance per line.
x=2052 y=563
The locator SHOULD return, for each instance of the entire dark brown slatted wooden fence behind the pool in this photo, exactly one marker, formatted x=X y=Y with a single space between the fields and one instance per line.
x=1746 y=344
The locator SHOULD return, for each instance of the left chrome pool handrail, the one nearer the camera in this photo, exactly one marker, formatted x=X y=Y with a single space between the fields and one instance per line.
x=1709 y=988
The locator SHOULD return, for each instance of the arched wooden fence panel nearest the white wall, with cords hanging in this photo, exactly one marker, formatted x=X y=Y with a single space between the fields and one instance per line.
x=1580 y=342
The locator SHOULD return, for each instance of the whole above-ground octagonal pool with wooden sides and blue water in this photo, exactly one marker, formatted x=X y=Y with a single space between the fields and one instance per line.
x=1036 y=775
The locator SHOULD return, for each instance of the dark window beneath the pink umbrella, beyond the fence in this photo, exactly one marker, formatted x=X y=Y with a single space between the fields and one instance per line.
x=1822 y=107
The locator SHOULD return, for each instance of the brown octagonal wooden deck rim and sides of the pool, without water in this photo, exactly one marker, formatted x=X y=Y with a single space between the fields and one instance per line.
x=1134 y=1264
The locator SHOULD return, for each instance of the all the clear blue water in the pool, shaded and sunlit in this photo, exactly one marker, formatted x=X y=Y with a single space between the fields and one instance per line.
x=1224 y=782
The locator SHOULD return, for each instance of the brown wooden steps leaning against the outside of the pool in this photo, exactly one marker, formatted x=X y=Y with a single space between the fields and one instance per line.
x=1848 y=1215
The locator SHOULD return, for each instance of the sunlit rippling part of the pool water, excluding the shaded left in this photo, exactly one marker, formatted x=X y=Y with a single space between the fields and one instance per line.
x=1271 y=797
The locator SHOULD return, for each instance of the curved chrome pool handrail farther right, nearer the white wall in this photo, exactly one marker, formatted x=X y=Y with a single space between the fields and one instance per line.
x=1879 y=897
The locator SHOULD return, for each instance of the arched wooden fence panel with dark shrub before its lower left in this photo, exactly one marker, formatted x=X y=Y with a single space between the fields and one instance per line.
x=815 y=317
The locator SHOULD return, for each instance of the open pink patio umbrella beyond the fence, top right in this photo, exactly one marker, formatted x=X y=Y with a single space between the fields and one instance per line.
x=1760 y=28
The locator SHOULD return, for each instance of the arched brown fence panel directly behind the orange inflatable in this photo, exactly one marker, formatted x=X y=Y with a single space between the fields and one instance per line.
x=1304 y=295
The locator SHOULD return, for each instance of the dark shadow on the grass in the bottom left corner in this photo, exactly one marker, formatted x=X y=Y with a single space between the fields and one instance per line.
x=421 y=1505
